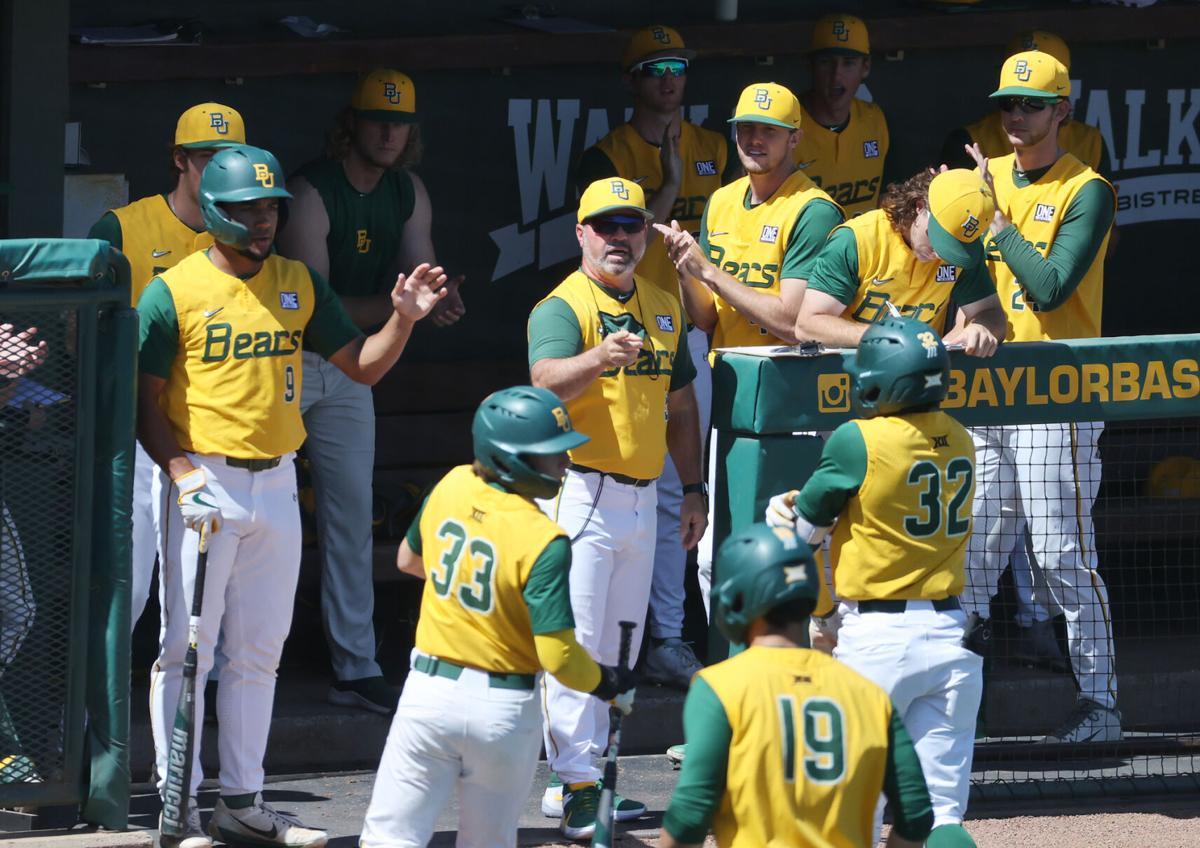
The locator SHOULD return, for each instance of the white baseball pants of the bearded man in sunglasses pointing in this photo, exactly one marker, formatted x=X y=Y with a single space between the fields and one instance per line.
x=611 y=527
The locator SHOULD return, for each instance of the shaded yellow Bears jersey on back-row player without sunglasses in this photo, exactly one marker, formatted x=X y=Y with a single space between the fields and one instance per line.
x=848 y=165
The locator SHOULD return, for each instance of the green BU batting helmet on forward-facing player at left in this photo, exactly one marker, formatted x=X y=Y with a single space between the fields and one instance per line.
x=238 y=175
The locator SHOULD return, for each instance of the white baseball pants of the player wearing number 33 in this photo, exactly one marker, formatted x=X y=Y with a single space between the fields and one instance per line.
x=447 y=736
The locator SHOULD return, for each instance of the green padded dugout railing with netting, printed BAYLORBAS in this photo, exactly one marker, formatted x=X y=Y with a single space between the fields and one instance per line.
x=771 y=407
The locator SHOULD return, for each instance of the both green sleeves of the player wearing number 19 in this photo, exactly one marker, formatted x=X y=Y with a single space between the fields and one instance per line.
x=701 y=785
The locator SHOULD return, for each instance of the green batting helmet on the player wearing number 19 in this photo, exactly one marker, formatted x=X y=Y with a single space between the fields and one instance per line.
x=758 y=570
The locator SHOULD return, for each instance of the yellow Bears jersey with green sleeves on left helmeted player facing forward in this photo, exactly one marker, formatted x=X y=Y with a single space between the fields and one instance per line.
x=230 y=352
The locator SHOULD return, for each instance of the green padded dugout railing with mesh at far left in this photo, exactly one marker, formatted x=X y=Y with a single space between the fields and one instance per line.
x=67 y=465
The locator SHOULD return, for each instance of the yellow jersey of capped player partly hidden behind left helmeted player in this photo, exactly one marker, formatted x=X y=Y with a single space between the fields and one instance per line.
x=154 y=240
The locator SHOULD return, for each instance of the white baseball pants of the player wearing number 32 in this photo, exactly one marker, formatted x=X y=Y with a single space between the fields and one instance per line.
x=919 y=659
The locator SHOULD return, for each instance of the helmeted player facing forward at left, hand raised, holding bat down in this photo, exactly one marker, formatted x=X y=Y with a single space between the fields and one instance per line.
x=219 y=413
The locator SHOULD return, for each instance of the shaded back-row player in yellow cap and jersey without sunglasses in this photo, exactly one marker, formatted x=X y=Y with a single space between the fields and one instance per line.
x=844 y=143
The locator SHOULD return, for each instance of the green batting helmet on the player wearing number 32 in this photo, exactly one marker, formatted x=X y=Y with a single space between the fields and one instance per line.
x=902 y=364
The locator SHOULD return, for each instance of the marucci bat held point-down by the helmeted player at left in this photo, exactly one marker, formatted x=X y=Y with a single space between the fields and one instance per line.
x=177 y=791
